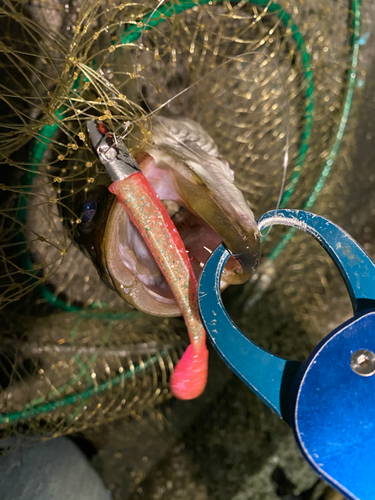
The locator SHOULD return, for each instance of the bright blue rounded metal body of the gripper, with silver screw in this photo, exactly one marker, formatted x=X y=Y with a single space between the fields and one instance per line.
x=334 y=410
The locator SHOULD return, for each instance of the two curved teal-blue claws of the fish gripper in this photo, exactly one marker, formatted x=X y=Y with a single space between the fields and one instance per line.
x=268 y=375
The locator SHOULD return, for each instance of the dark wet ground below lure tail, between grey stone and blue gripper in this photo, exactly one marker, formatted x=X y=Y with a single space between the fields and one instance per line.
x=226 y=444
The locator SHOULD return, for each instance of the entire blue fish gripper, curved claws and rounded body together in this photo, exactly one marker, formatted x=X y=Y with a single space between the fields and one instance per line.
x=330 y=405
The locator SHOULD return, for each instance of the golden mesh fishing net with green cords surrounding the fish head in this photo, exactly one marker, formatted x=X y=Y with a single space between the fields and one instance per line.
x=277 y=86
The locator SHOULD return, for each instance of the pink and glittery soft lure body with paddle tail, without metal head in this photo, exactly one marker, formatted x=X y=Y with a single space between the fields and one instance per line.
x=151 y=218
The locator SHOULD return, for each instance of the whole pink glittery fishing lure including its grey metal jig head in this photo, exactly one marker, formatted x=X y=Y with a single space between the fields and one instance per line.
x=151 y=218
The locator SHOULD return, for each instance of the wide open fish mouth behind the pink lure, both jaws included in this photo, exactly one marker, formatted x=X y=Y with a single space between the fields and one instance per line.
x=196 y=186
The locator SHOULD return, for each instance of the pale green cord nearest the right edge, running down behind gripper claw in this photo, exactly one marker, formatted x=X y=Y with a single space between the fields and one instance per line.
x=309 y=203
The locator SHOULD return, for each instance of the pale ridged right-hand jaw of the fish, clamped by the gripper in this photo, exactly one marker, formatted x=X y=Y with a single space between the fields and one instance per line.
x=202 y=174
